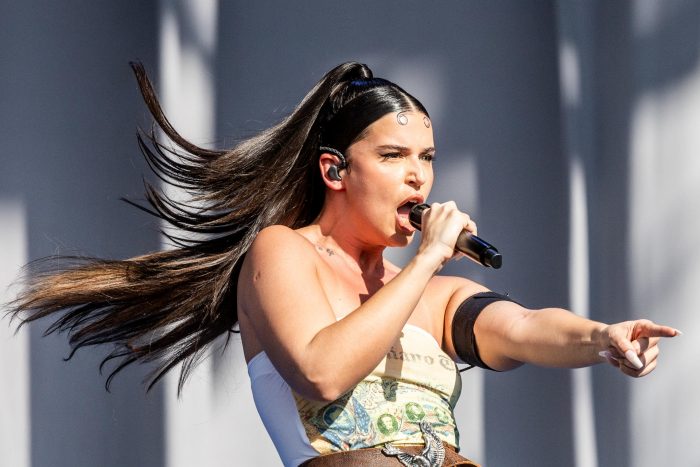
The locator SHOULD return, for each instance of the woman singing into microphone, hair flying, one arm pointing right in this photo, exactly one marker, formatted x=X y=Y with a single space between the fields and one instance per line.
x=351 y=358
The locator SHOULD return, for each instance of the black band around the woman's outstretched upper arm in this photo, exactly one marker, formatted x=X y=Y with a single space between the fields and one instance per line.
x=463 y=338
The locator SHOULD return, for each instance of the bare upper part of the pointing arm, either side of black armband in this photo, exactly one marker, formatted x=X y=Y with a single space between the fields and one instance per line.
x=494 y=329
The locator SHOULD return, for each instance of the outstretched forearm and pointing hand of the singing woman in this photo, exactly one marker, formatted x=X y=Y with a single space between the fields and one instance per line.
x=509 y=335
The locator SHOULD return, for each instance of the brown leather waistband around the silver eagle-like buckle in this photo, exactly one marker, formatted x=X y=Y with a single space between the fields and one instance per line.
x=375 y=457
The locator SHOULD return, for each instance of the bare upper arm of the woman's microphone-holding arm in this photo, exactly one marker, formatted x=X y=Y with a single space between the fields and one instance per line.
x=282 y=297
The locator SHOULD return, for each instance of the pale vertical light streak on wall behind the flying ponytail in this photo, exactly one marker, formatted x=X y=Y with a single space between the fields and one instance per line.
x=187 y=97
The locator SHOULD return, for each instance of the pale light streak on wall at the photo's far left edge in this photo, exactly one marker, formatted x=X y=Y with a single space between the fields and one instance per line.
x=14 y=348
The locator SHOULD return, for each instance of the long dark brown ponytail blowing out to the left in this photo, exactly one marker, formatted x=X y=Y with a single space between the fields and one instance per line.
x=169 y=306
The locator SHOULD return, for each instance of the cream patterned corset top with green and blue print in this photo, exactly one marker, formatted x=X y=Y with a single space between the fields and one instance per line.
x=415 y=381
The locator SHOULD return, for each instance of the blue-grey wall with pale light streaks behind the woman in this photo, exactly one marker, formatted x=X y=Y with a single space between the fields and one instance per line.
x=567 y=129
